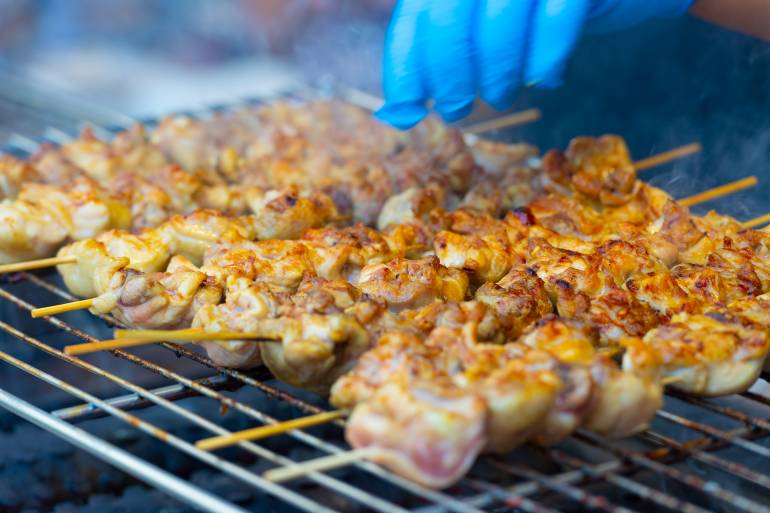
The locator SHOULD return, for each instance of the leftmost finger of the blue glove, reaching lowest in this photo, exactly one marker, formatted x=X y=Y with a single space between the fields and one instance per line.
x=403 y=87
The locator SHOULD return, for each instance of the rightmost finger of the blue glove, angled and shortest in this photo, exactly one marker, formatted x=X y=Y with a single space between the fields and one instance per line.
x=556 y=26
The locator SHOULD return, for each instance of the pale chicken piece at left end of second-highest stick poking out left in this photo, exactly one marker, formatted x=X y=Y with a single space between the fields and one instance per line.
x=163 y=300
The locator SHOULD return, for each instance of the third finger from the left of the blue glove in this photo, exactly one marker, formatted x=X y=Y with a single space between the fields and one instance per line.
x=501 y=36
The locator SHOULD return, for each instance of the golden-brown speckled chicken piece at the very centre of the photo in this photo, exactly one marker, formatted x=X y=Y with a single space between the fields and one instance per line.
x=405 y=283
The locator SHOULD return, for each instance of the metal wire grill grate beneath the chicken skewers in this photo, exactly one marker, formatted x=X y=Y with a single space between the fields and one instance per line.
x=573 y=483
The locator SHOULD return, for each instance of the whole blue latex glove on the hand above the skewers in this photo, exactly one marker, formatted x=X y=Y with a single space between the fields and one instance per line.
x=449 y=51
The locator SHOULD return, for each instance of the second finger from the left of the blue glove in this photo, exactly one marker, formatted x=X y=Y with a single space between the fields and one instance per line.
x=448 y=60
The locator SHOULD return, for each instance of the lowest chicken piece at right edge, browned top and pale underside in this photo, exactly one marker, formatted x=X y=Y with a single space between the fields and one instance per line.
x=711 y=354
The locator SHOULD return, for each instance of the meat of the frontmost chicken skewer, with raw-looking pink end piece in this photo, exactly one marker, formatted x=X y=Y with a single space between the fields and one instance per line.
x=431 y=406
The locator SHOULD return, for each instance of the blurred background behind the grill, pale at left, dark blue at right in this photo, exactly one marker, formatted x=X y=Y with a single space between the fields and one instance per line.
x=660 y=84
